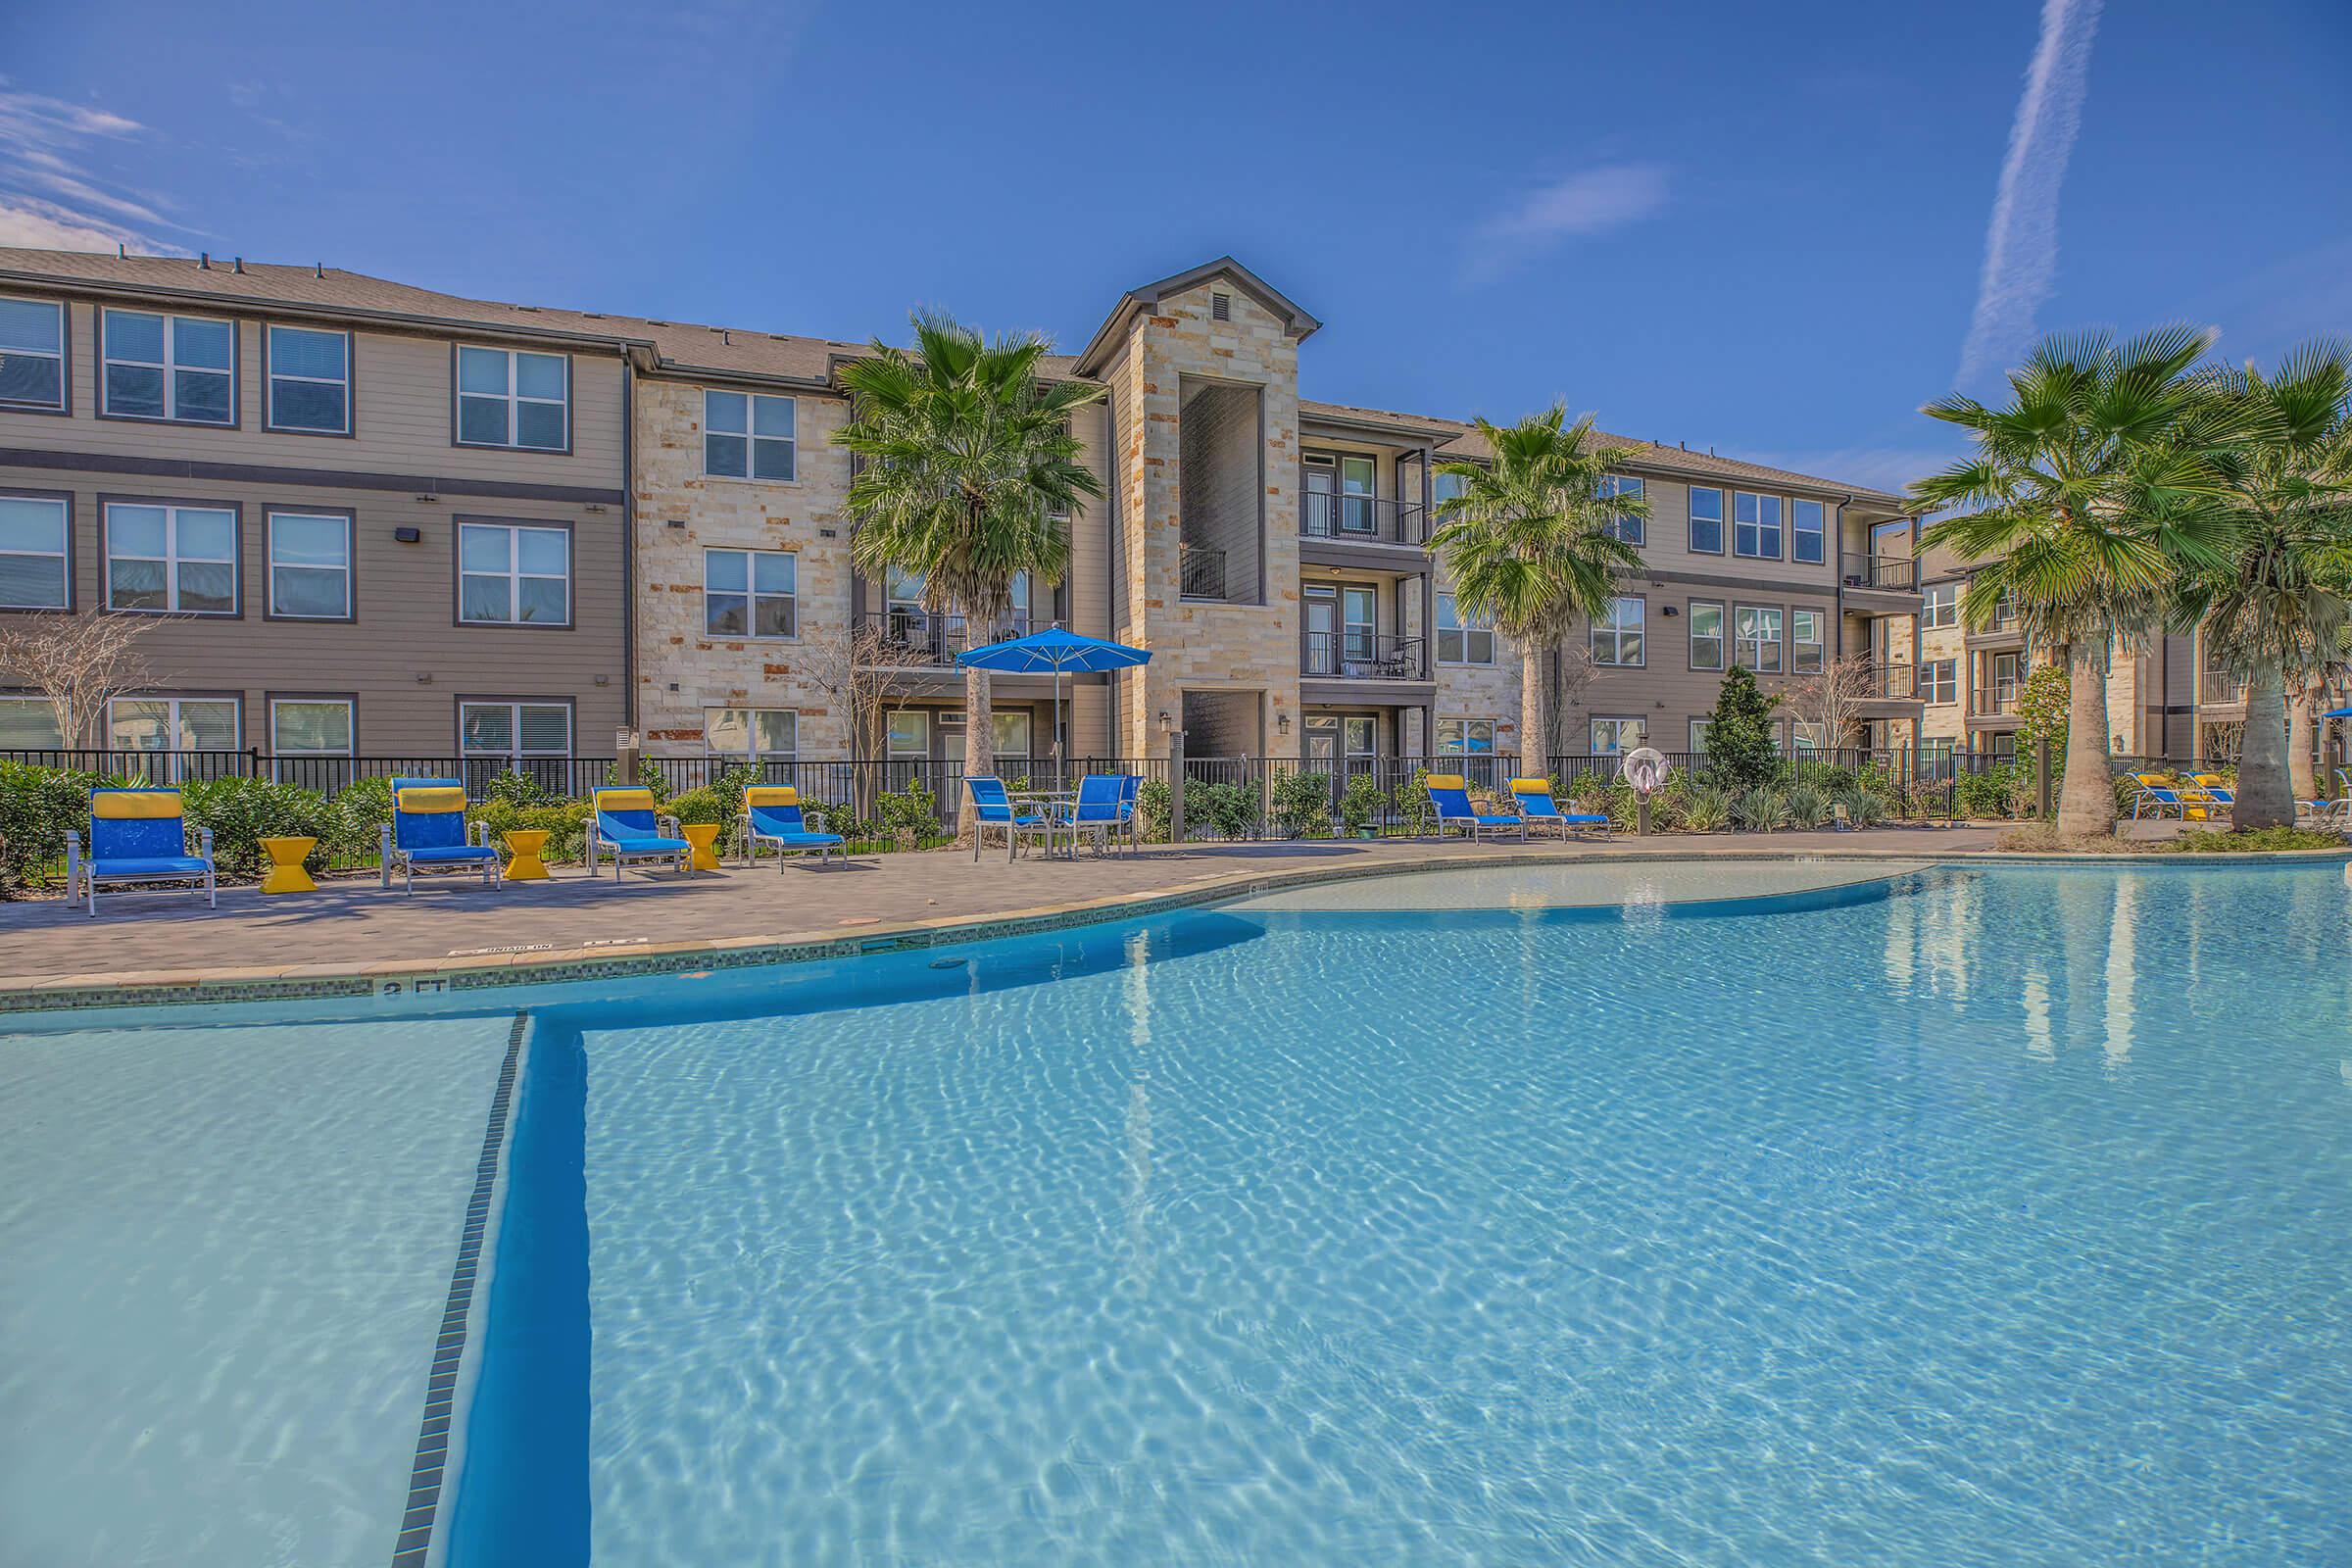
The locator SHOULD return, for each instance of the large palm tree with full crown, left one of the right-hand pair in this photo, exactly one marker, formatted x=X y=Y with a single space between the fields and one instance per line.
x=2087 y=497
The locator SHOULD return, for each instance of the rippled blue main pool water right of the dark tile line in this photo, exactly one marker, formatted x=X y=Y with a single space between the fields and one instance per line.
x=1986 y=1217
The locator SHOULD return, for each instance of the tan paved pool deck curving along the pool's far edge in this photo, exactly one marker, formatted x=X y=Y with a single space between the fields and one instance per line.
x=352 y=939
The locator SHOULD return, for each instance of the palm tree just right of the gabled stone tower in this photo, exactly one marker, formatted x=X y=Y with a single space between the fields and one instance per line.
x=1532 y=544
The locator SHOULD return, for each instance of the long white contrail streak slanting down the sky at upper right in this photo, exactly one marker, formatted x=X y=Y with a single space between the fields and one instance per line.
x=2022 y=243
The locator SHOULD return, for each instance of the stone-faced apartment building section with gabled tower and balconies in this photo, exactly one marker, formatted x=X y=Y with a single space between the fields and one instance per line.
x=1269 y=549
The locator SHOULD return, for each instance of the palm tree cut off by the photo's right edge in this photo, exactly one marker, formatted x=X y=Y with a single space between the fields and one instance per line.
x=2276 y=612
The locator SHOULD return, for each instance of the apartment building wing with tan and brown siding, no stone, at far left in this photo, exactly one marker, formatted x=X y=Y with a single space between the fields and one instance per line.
x=363 y=518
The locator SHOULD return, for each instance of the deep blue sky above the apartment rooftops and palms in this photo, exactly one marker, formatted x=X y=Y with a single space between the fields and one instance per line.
x=1753 y=229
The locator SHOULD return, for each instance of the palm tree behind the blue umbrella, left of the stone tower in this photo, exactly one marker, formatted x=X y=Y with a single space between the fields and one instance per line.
x=968 y=476
